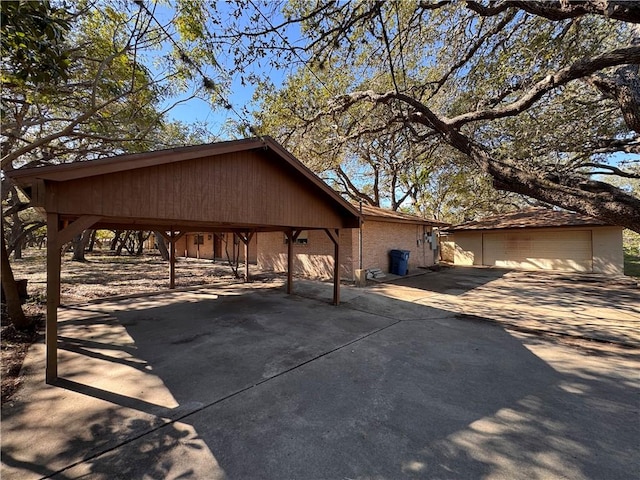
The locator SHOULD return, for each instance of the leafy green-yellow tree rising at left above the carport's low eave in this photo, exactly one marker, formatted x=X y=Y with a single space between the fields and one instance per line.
x=78 y=84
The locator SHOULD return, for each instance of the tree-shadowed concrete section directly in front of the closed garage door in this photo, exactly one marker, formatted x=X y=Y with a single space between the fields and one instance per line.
x=586 y=306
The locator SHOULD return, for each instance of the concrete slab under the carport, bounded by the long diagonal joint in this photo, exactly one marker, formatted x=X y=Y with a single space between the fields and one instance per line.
x=207 y=344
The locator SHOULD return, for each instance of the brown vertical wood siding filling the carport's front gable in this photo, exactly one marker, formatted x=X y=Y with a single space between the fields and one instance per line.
x=248 y=187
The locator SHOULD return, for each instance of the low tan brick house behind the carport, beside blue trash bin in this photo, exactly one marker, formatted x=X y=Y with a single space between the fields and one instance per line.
x=382 y=230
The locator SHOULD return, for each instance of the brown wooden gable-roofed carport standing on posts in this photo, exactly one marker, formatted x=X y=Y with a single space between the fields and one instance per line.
x=243 y=186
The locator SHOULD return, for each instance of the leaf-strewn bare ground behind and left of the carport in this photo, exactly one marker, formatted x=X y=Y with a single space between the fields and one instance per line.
x=102 y=275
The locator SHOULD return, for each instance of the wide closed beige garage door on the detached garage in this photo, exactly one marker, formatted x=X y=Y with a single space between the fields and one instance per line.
x=562 y=250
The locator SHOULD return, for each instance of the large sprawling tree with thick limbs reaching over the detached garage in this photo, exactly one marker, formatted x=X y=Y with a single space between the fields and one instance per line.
x=543 y=97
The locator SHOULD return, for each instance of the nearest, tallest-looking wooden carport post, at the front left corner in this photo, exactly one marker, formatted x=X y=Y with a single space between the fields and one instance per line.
x=53 y=297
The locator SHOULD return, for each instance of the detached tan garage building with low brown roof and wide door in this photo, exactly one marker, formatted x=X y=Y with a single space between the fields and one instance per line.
x=537 y=239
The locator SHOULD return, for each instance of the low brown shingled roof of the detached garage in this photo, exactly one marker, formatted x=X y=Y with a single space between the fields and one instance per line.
x=530 y=218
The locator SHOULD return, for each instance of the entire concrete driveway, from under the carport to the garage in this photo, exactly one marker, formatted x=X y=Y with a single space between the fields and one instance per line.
x=400 y=381
